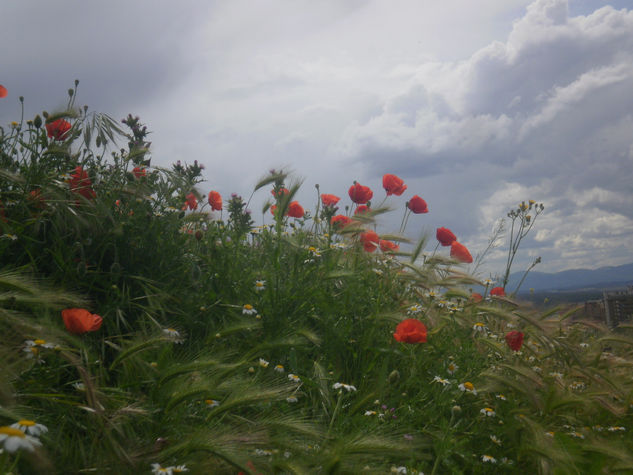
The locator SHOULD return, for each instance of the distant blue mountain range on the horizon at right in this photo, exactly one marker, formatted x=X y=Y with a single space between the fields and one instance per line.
x=574 y=279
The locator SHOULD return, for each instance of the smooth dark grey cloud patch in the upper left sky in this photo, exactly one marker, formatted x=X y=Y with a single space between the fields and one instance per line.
x=125 y=54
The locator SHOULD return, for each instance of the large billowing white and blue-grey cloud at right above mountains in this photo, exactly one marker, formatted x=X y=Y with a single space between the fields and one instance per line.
x=544 y=115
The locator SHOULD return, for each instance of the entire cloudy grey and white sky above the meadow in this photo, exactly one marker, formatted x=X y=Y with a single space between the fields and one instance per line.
x=477 y=106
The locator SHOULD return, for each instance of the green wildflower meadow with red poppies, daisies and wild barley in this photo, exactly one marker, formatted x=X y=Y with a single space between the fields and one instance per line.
x=149 y=328
